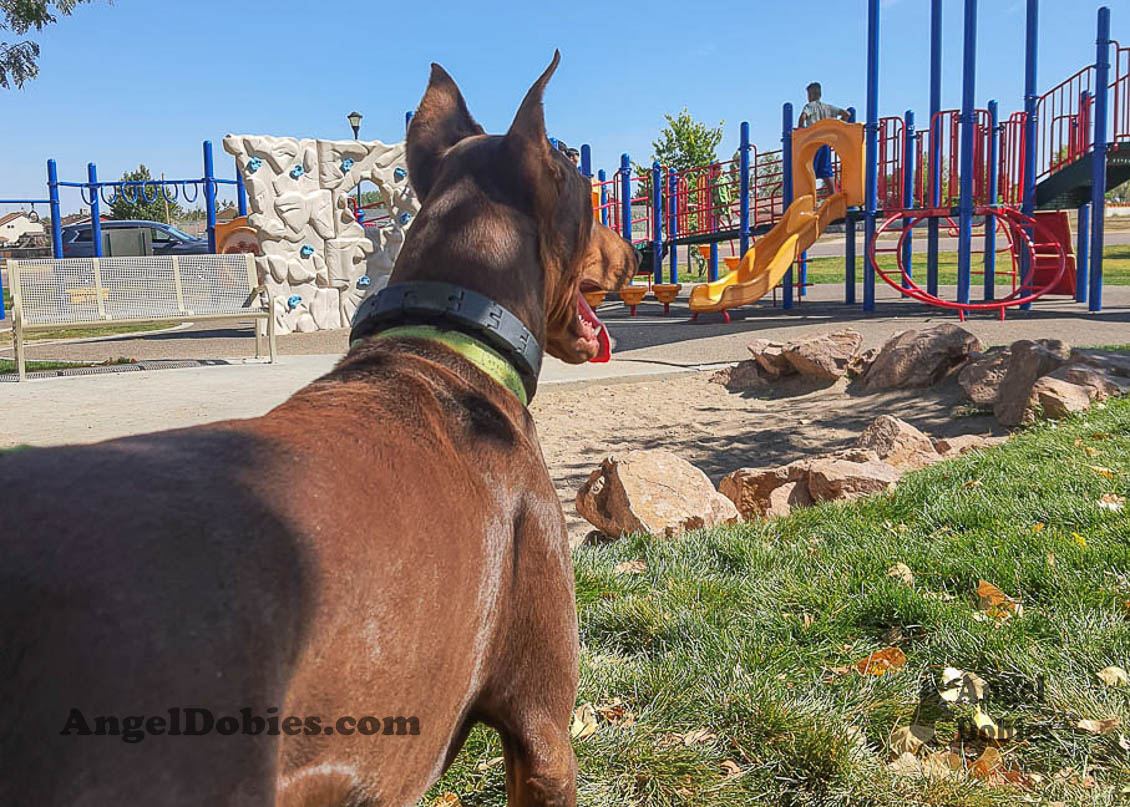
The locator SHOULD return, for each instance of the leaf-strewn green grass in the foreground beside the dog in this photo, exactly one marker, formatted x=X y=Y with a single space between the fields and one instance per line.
x=737 y=635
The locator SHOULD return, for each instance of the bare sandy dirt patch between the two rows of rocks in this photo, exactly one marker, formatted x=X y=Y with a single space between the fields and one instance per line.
x=722 y=431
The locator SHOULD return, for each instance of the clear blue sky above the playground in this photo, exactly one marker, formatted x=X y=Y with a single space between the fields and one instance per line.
x=146 y=81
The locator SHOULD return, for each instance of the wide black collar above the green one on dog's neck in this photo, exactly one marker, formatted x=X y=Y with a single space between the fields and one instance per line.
x=458 y=309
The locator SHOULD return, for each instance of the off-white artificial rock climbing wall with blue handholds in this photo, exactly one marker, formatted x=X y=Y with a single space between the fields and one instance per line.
x=317 y=261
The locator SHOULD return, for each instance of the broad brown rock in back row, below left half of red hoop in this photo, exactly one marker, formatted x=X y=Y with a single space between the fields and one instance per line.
x=920 y=359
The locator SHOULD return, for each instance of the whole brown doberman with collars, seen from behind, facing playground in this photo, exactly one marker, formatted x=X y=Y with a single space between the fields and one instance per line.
x=316 y=606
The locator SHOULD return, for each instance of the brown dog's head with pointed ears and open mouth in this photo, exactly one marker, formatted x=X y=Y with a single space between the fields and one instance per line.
x=511 y=218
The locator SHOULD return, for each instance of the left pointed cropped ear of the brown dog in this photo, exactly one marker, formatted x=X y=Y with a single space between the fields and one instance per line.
x=440 y=123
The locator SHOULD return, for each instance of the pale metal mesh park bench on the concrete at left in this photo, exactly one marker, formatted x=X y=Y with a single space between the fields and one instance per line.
x=69 y=293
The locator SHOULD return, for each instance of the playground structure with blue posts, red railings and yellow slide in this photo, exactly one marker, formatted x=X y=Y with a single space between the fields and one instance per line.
x=1018 y=175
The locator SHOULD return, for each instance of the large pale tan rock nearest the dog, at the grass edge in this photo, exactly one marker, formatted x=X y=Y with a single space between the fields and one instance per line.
x=651 y=492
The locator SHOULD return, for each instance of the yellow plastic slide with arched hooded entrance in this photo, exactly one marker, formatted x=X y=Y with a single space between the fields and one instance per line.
x=767 y=263
